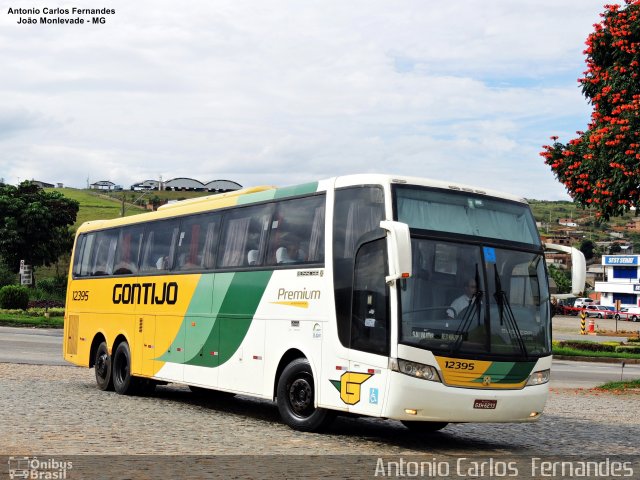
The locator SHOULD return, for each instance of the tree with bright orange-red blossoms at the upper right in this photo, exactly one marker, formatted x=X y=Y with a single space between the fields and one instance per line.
x=601 y=167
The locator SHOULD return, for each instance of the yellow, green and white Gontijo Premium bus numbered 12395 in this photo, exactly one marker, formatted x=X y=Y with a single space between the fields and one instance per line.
x=342 y=296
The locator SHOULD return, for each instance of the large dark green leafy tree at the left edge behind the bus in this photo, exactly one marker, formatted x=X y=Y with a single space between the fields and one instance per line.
x=34 y=225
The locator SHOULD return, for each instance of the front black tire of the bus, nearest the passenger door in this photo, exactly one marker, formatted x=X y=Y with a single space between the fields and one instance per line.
x=296 y=398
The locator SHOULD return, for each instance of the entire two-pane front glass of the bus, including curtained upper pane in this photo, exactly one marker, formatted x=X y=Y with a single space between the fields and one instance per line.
x=469 y=296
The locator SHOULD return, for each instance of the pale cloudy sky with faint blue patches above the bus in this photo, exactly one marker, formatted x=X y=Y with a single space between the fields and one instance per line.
x=277 y=92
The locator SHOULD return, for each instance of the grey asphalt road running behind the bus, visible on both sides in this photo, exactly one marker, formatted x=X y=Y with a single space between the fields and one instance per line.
x=44 y=347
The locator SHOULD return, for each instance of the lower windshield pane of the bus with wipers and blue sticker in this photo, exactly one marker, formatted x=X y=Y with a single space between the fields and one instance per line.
x=478 y=300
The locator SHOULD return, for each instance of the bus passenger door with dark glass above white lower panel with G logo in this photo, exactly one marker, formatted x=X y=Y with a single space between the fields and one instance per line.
x=365 y=388
